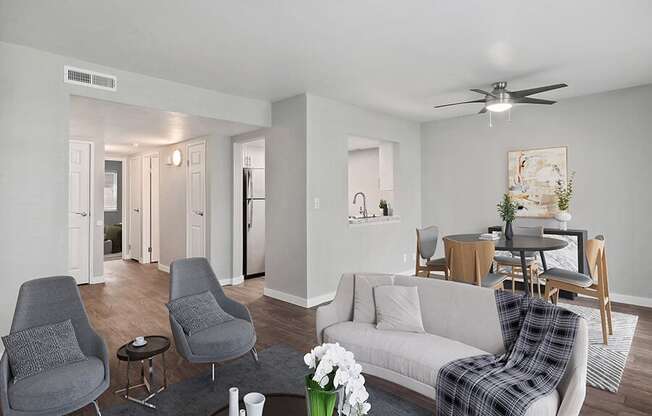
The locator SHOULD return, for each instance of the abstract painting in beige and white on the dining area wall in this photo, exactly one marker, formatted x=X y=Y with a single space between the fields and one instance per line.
x=533 y=176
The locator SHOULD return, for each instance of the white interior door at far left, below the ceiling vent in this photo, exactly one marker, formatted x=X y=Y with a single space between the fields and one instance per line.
x=79 y=212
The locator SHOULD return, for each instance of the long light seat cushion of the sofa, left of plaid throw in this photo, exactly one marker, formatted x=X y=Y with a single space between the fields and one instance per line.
x=418 y=356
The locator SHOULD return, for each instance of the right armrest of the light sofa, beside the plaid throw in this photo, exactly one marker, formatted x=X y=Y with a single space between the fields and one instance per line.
x=572 y=388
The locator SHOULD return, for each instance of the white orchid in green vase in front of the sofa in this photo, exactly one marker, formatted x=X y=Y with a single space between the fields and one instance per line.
x=335 y=379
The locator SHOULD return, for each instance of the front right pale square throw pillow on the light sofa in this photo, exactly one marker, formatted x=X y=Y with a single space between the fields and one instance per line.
x=398 y=308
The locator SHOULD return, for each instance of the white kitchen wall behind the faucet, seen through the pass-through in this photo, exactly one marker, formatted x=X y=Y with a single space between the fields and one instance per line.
x=364 y=176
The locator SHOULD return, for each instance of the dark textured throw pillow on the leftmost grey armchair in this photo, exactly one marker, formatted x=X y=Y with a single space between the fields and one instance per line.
x=34 y=350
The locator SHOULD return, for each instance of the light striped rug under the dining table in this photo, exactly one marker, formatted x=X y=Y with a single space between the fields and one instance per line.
x=607 y=362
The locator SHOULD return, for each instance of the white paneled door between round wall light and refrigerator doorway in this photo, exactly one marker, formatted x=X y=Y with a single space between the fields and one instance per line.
x=196 y=201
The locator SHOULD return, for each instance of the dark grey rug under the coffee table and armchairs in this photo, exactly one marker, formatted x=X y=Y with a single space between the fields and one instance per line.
x=281 y=371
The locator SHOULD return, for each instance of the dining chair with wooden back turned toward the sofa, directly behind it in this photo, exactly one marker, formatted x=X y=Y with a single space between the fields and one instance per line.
x=471 y=261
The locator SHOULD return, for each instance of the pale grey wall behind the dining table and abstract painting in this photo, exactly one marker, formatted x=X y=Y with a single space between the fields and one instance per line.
x=609 y=145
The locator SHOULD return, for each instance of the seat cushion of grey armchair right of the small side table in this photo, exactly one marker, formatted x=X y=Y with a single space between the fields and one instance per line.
x=230 y=337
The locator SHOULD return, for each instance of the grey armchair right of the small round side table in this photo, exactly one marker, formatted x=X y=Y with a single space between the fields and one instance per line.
x=223 y=342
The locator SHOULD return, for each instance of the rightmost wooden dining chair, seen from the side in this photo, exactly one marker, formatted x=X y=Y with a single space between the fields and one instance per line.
x=595 y=285
